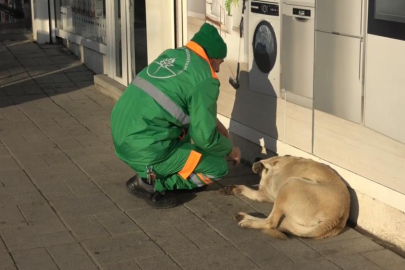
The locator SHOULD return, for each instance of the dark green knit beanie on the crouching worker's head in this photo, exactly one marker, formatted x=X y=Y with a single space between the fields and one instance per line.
x=211 y=41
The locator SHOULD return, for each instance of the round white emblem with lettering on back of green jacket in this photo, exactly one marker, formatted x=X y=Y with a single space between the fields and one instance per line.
x=167 y=67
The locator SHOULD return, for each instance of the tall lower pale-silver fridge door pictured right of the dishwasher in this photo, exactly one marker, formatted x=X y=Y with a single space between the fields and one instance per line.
x=338 y=75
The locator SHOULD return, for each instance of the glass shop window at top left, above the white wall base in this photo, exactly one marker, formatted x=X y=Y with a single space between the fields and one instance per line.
x=86 y=18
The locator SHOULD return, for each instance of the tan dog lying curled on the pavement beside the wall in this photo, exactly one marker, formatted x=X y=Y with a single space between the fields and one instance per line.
x=310 y=199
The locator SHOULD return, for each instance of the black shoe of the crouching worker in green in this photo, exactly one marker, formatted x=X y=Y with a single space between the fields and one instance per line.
x=138 y=187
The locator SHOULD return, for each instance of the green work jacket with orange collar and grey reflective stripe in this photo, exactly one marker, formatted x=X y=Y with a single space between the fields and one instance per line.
x=176 y=93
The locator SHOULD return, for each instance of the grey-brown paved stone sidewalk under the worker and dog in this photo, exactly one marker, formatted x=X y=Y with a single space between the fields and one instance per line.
x=63 y=202
